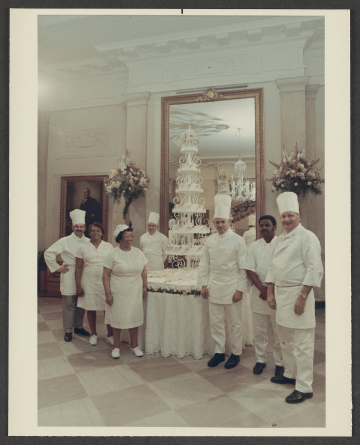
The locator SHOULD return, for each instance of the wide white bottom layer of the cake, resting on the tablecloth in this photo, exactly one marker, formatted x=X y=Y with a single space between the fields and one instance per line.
x=175 y=279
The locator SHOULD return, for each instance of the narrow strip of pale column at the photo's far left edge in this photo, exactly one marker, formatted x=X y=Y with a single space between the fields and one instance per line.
x=43 y=141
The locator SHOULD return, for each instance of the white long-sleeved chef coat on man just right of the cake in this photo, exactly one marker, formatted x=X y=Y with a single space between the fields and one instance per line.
x=221 y=268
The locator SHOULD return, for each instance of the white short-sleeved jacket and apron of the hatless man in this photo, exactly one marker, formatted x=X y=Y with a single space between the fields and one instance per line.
x=258 y=257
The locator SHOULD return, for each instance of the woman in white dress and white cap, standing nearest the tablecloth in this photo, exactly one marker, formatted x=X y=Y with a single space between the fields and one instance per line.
x=125 y=282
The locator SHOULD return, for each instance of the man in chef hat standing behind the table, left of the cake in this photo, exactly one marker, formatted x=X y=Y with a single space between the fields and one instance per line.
x=154 y=244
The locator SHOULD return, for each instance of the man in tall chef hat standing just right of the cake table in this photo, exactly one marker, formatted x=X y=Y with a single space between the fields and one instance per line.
x=223 y=282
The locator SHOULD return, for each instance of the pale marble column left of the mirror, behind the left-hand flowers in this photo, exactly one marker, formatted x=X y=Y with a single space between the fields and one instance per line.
x=136 y=144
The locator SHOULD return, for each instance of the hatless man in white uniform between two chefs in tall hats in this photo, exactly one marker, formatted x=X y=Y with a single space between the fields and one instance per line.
x=258 y=257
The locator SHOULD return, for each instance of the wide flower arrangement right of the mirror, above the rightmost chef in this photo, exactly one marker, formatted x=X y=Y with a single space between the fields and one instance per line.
x=296 y=174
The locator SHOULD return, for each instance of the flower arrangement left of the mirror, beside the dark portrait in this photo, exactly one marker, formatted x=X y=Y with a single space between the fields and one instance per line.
x=127 y=180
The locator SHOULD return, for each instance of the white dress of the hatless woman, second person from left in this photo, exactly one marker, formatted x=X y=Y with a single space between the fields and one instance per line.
x=91 y=277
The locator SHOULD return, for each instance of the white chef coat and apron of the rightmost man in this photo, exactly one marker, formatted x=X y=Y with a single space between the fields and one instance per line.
x=296 y=262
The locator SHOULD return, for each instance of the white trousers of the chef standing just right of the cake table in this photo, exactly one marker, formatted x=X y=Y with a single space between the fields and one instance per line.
x=233 y=314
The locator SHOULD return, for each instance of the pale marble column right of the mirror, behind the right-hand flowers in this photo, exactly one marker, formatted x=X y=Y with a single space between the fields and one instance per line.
x=293 y=120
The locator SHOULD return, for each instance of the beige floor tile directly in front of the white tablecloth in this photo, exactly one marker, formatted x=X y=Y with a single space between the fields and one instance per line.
x=158 y=368
